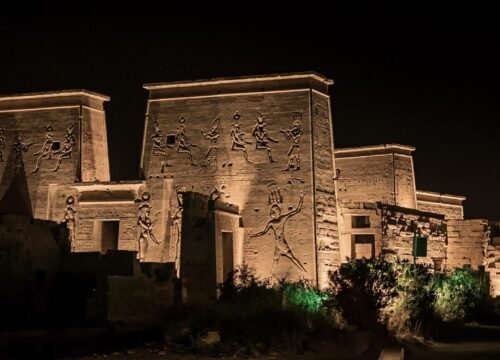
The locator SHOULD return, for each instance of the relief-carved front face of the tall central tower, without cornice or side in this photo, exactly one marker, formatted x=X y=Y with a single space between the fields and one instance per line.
x=203 y=156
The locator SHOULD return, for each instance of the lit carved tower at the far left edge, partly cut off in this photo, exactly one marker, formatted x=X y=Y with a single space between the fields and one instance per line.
x=66 y=127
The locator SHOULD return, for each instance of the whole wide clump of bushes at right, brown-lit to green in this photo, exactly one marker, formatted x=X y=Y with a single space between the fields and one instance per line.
x=404 y=298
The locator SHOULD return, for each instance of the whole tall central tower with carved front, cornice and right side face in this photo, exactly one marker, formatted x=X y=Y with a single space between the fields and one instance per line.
x=211 y=127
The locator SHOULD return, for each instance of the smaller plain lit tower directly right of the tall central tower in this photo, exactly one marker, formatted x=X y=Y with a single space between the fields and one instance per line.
x=367 y=175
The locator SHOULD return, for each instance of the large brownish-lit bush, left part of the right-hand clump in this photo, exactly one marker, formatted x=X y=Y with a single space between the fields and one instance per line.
x=377 y=294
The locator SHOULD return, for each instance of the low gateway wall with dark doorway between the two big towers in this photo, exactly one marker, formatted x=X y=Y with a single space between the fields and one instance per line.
x=120 y=202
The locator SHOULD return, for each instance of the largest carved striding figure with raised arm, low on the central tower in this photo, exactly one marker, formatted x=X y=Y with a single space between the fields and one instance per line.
x=277 y=223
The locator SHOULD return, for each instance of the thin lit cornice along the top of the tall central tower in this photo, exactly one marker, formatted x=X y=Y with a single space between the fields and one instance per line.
x=239 y=79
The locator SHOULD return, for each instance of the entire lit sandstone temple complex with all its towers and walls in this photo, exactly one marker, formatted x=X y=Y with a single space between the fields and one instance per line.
x=234 y=171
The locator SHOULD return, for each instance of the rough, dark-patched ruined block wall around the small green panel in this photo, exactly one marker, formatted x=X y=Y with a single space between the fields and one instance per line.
x=399 y=226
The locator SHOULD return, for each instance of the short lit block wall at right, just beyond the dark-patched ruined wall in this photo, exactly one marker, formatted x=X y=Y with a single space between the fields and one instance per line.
x=467 y=243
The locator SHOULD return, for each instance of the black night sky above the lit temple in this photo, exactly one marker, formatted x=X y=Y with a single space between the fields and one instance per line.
x=424 y=77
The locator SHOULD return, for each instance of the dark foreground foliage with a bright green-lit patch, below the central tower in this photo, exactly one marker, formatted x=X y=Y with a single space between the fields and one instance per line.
x=259 y=315
